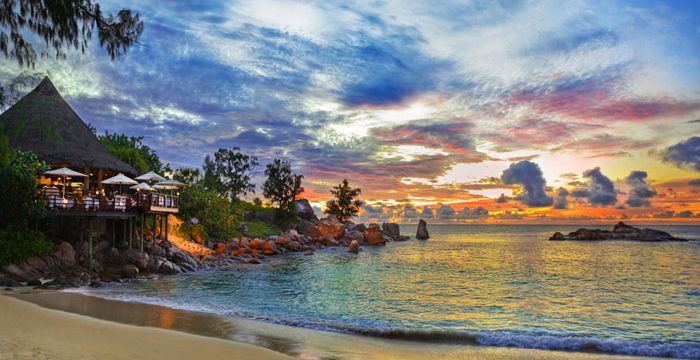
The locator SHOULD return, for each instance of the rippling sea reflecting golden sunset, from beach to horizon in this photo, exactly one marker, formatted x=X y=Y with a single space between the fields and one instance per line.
x=473 y=284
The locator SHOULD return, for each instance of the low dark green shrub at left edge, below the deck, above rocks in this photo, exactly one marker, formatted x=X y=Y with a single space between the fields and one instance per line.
x=17 y=246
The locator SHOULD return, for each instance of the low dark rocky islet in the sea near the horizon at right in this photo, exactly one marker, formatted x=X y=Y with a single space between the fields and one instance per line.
x=621 y=231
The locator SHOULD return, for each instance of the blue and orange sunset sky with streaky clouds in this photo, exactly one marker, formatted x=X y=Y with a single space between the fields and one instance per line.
x=484 y=111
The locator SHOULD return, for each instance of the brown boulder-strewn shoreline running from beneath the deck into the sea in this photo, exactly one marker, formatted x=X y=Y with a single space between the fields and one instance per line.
x=70 y=266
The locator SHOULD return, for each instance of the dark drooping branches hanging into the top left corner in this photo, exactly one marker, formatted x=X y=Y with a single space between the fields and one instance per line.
x=62 y=25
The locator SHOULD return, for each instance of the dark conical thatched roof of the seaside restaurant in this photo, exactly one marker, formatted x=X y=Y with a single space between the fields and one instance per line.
x=42 y=122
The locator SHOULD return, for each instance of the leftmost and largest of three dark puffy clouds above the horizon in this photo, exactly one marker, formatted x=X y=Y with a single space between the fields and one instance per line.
x=529 y=175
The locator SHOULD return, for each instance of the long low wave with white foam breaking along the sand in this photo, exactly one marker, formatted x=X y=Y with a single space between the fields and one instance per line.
x=543 y=341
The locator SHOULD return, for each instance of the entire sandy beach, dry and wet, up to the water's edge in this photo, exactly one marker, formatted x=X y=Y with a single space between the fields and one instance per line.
x=200 y=335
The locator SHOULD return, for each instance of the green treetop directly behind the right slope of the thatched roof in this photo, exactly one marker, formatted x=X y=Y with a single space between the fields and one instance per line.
x=132 y=151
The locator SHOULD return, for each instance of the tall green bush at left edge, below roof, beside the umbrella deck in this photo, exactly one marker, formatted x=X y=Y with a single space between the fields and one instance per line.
x=20 y=207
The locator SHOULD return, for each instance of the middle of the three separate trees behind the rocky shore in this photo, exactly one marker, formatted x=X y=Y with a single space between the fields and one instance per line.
x=282 y=186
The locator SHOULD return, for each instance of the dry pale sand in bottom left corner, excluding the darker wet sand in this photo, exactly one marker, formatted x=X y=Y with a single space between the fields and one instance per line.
x=29 y=331
